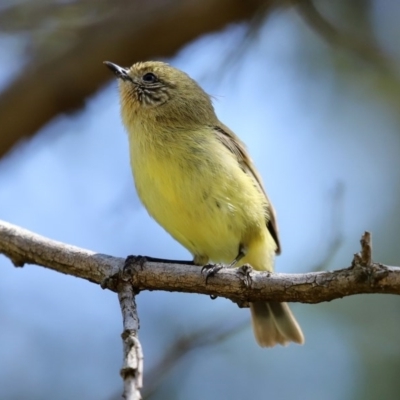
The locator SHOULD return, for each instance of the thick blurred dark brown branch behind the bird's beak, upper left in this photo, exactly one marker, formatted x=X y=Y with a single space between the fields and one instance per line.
x=126 y=32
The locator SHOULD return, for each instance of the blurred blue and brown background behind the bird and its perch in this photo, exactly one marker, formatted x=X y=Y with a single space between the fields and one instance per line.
x=312 y=87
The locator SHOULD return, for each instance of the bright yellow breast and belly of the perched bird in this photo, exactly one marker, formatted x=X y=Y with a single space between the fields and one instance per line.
x=208 y=204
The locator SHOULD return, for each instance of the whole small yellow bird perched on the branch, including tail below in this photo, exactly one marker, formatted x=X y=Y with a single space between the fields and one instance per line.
x=197 y=180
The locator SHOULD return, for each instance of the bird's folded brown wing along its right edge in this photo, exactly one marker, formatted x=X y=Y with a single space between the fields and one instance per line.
x=237 y=147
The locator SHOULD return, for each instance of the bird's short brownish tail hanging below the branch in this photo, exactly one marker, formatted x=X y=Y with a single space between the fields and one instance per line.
x=274 y=323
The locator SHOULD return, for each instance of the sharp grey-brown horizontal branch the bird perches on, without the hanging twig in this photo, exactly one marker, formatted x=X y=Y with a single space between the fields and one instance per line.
x=363 y=276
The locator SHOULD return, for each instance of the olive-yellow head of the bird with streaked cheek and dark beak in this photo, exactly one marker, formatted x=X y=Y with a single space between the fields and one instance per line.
x=155 y=91
